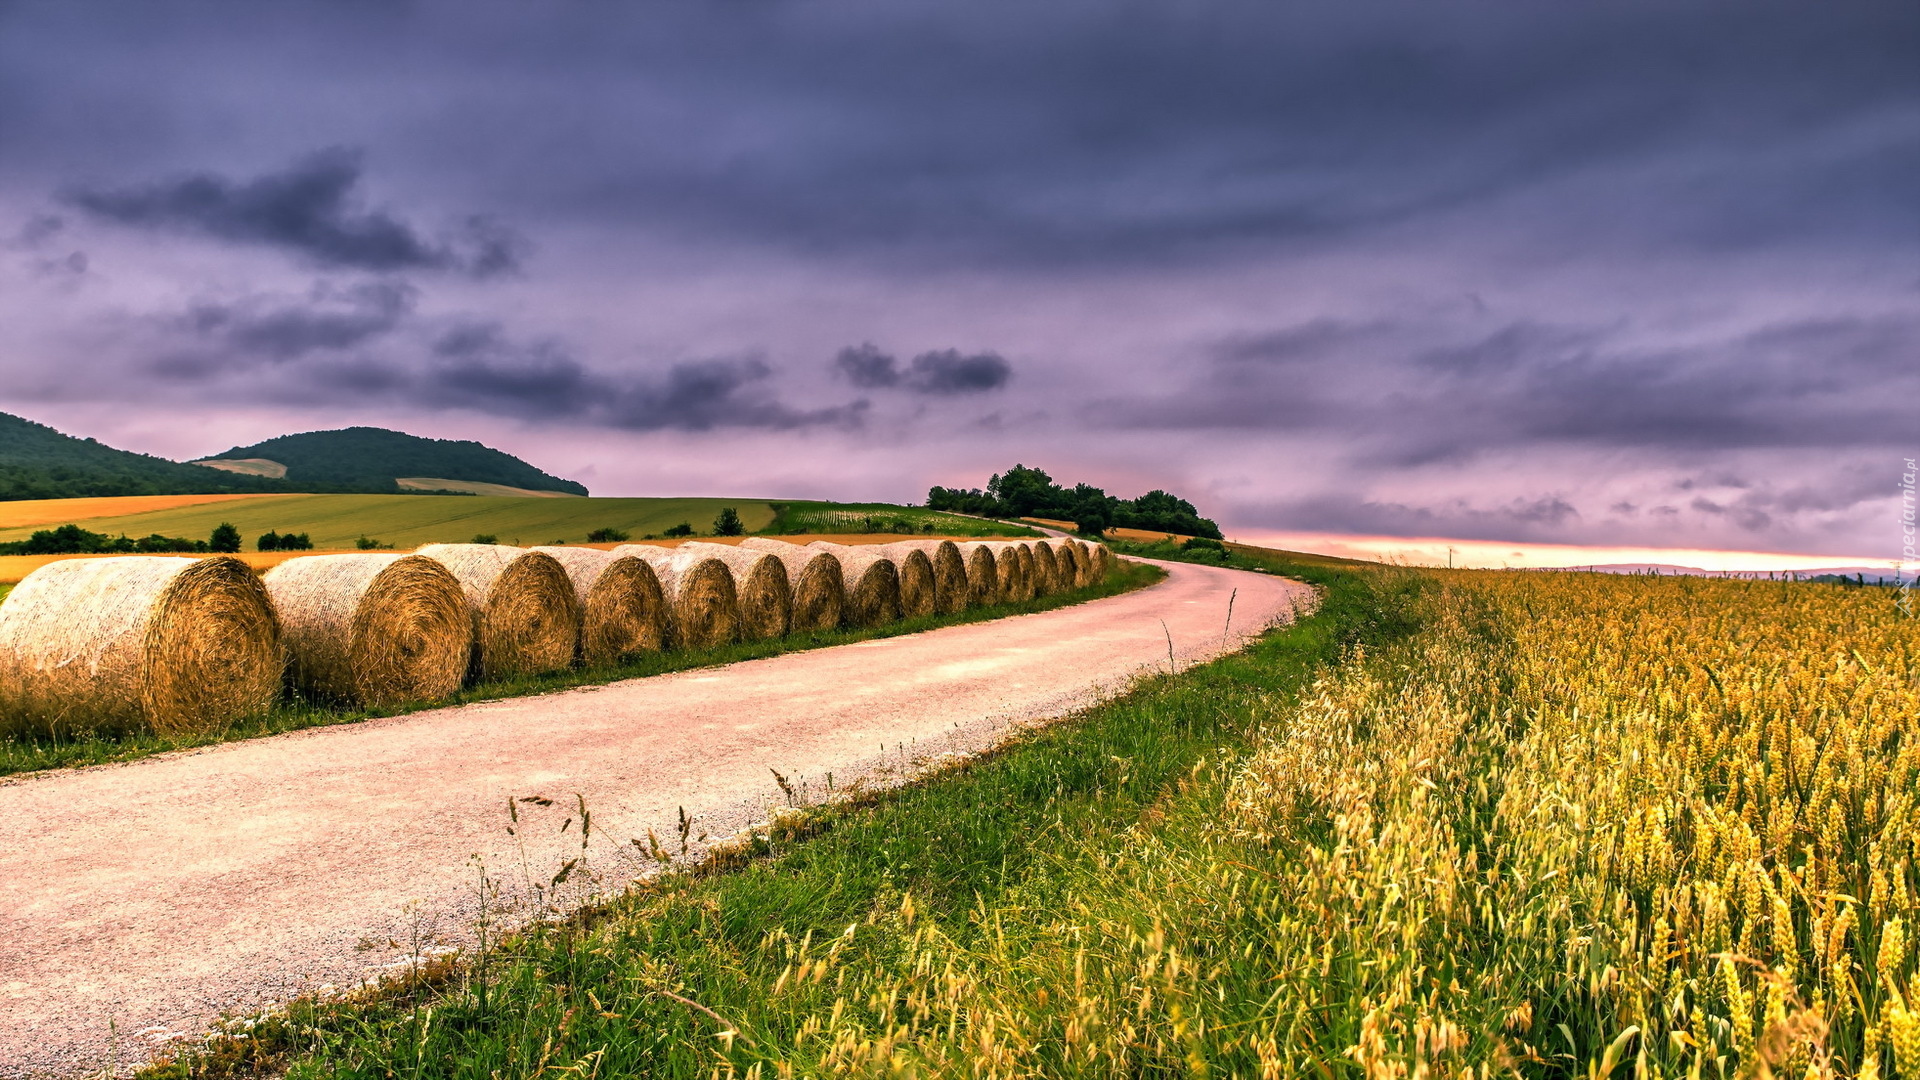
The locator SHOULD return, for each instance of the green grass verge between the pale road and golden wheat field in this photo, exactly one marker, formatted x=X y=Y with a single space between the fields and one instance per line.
x=807 y=958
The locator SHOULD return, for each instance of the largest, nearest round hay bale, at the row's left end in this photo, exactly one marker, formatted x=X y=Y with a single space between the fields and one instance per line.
x=178 y=647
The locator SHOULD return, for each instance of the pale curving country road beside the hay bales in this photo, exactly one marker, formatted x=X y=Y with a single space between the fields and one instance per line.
x=162 y=895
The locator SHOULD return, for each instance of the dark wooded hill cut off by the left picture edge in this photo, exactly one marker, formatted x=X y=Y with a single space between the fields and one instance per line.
x=43 y=464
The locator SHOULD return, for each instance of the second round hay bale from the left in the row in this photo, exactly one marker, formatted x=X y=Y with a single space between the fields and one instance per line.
x=373 y=629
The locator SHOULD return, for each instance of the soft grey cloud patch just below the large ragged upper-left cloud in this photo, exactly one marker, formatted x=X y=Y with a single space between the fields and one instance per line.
x=331 y=318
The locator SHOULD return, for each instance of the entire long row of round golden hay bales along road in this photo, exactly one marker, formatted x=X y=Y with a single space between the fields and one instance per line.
x=178 y=645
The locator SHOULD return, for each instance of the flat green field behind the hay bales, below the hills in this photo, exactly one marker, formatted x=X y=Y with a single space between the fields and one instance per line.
x=408 y=522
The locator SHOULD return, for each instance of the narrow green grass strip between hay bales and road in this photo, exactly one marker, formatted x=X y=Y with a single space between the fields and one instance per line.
x=26 y=754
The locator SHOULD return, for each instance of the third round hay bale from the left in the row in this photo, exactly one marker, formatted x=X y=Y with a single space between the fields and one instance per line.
x=525 y=612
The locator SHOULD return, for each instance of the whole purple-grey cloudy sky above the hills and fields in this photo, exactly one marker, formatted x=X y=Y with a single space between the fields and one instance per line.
x=1627 y=274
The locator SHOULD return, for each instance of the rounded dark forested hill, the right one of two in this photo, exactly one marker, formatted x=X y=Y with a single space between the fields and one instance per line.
x=375 y=460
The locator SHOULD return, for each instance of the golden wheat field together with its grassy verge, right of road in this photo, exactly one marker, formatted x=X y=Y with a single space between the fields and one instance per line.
x=1462 y=823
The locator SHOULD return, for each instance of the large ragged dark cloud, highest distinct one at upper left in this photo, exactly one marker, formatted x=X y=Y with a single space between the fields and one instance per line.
x=310 y=209
